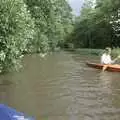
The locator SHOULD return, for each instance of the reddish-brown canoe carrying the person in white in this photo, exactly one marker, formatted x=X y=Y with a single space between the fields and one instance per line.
x=112 y=68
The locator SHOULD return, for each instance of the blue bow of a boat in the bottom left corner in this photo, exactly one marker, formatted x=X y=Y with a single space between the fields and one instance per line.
x=7 y=113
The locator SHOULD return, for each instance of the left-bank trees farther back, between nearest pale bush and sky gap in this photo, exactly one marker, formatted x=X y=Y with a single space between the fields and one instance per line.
x=53 y=20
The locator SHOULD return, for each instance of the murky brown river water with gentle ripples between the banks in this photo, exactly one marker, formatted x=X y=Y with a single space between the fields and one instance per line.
x=61 y=87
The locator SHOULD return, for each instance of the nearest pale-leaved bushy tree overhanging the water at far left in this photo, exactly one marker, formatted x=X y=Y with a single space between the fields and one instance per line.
x=16 y=28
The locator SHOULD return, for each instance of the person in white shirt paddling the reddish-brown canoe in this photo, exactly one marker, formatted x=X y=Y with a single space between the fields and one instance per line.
x=106 y=58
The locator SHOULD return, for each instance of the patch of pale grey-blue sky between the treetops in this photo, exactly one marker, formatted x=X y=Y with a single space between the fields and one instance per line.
x=76 y=6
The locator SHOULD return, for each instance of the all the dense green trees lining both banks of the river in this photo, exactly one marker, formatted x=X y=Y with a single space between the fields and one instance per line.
x=31 y=26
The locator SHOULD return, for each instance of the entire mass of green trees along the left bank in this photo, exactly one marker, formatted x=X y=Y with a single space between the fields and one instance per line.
x=31 y=26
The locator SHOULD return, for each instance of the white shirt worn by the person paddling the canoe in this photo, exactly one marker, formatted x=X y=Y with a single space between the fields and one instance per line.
x=106 y=59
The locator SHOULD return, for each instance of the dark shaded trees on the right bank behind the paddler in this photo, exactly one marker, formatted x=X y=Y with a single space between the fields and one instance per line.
x=98 y=25
